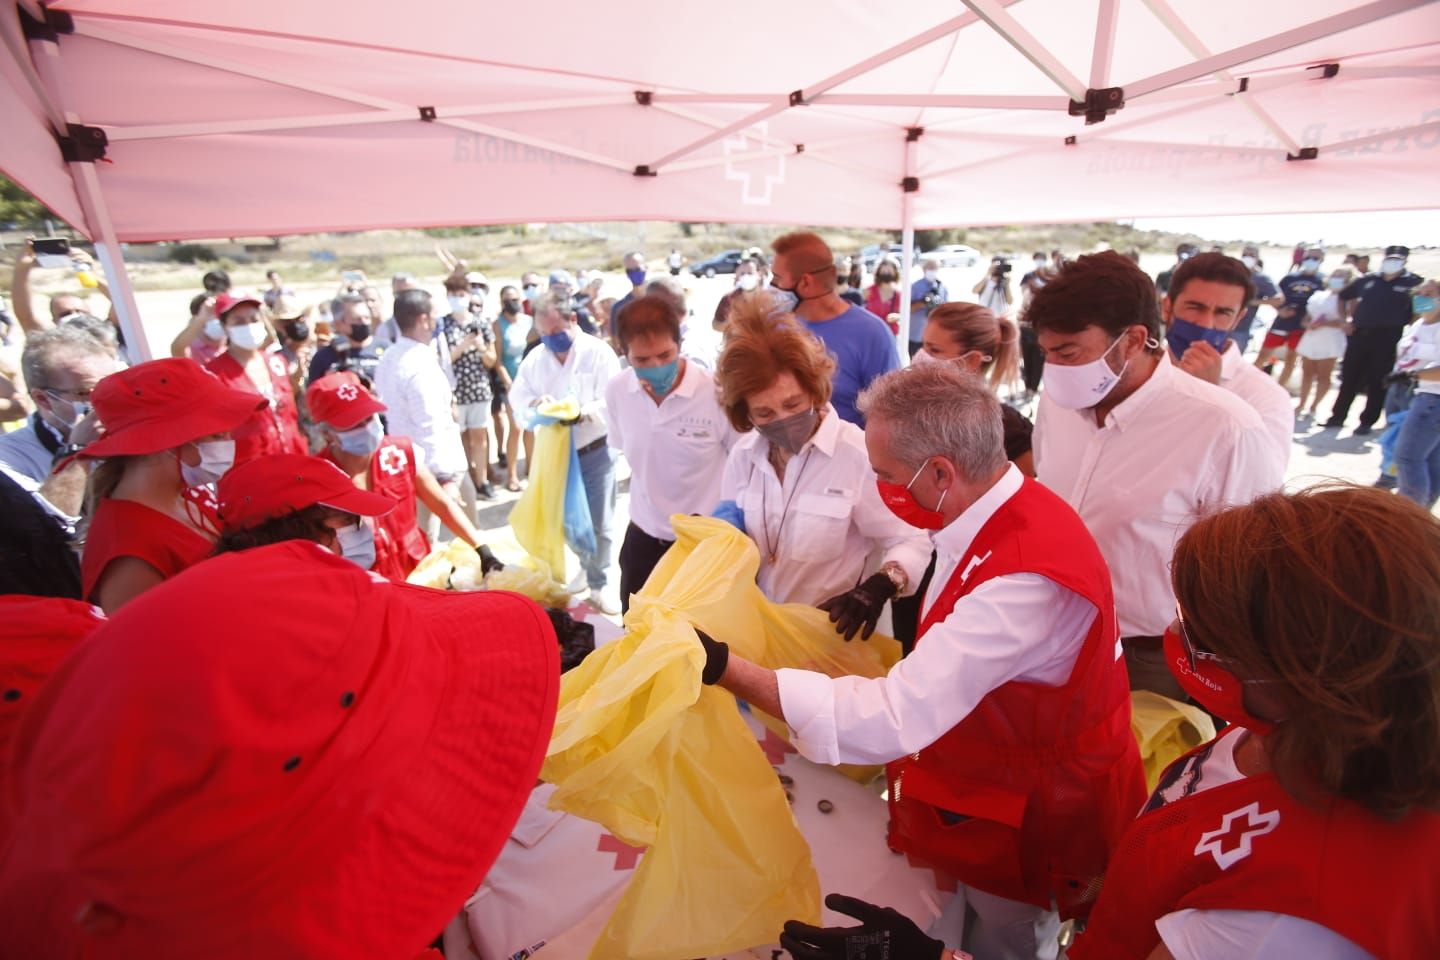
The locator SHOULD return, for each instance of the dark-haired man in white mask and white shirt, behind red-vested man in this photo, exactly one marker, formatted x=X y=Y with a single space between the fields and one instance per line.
x=1137 y=447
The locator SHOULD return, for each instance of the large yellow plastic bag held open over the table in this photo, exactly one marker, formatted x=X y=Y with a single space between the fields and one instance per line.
x=663 y=762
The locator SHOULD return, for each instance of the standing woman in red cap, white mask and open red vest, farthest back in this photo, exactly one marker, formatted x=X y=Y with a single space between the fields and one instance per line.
x=274 y=427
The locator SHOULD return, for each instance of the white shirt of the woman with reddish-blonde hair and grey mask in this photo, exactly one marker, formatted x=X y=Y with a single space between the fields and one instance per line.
x=817 y=529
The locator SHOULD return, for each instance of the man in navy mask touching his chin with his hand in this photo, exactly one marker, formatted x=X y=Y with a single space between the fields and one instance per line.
x=1207 y=299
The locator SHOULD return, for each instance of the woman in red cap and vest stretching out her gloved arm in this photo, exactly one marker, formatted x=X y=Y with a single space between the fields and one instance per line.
x=345 y=414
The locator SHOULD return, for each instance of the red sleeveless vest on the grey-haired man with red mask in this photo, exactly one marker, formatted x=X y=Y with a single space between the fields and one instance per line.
x=1027 y=797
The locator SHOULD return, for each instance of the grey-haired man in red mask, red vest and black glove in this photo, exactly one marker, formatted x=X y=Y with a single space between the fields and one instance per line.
x=1012 y=716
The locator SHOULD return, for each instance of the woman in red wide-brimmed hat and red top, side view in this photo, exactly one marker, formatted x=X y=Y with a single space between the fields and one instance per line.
x=168 y=435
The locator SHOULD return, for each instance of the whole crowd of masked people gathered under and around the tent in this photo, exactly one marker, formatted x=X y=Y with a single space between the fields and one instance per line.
x=270 y=487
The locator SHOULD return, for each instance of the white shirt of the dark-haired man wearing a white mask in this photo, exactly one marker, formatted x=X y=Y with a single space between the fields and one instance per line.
x=1170 y=453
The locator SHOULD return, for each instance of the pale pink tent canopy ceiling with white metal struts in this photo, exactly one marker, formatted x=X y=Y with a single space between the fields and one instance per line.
x=269 y=119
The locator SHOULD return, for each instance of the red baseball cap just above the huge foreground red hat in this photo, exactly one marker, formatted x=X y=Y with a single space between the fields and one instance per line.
x=270 y=487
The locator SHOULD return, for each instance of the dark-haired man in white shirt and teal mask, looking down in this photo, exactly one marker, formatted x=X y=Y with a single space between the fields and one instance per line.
x=665 y=417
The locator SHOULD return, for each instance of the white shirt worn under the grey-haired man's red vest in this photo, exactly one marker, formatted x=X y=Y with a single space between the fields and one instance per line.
x=1019 y=627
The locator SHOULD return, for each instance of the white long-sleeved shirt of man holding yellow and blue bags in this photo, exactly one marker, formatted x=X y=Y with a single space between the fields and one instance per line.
x=588 y=369
